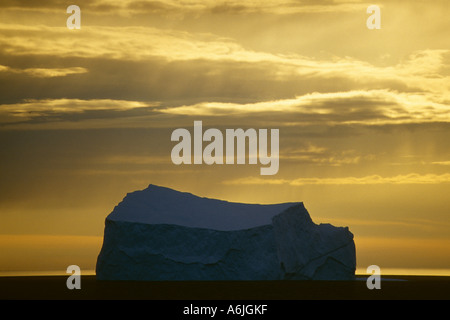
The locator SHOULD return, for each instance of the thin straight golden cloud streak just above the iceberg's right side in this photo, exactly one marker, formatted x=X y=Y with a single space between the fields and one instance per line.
x=412 y=178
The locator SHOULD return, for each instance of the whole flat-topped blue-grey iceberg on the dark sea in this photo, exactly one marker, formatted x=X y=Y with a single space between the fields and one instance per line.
x=162 y=234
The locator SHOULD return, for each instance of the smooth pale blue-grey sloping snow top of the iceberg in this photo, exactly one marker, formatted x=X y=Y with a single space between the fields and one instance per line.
x=159 y=205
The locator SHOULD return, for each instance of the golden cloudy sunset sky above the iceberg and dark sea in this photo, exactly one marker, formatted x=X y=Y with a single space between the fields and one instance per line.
x=364 y=117
